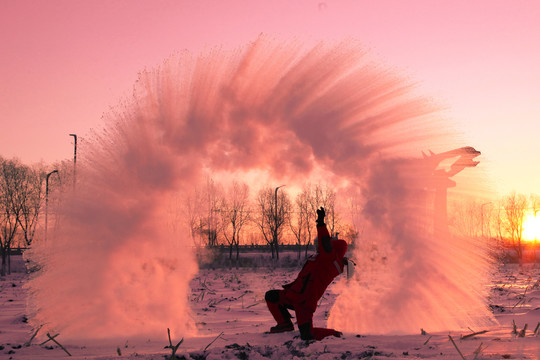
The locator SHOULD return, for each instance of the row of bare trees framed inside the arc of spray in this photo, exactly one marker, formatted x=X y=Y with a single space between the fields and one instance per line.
x=226 y=214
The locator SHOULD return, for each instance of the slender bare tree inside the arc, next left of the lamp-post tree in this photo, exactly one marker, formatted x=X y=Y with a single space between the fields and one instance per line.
x=234 y=215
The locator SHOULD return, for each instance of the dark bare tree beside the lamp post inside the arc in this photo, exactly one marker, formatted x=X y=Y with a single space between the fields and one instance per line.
x=272 y=216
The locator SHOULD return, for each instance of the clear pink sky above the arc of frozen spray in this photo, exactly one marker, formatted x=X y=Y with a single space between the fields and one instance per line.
x=65 y=63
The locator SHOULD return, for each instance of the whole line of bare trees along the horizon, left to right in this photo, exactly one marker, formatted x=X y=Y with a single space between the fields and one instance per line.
x=227 y=214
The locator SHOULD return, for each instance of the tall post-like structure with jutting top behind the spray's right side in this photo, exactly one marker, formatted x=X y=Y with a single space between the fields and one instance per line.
x=442 y=182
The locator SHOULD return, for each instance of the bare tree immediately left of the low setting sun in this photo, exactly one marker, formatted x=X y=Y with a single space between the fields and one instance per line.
x=515 y=207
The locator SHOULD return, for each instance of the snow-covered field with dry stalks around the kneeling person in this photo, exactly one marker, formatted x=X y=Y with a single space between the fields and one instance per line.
x=231 y=316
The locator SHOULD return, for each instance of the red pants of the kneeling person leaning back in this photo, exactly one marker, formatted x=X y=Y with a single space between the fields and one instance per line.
x=278 y=301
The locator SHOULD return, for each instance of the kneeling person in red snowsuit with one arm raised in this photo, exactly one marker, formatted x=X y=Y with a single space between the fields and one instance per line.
x=303 y=294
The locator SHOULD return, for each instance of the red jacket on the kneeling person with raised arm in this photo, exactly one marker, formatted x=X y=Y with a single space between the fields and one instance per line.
x=318 y=271
